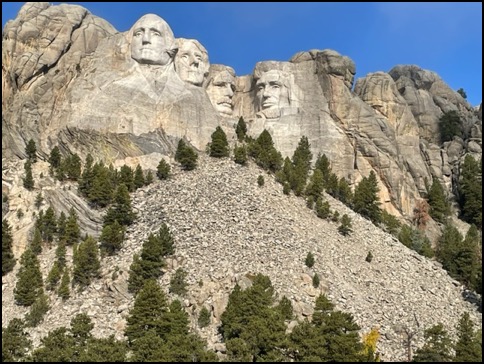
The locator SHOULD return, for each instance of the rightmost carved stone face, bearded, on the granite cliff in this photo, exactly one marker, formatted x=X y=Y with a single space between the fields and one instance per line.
x=272 y=91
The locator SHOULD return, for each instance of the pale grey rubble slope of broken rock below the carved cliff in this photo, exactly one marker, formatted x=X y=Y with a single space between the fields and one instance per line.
x=226 y=228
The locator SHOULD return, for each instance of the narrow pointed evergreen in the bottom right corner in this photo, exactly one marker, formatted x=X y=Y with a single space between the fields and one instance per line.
x=467 y=347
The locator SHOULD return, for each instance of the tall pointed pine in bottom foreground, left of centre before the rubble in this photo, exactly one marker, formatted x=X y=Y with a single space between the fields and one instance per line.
x=148 y=312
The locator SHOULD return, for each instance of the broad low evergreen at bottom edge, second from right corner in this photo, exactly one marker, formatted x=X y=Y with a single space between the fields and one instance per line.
x=437 y=346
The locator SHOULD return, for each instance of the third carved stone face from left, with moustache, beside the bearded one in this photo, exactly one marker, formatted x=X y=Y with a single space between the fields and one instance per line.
x=221 y=90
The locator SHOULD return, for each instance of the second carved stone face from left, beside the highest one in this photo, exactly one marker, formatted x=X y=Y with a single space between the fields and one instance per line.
x=191 y=62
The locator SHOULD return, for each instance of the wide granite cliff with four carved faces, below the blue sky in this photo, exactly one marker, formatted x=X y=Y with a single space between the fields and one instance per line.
x=70 y=79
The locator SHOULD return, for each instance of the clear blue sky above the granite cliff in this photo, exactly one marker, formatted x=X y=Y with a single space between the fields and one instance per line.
x=442 y=37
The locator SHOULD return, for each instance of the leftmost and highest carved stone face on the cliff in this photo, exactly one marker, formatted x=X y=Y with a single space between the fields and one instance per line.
x=152 y=39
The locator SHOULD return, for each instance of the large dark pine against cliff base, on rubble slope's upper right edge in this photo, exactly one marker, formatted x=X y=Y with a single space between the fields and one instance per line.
x=366 y=201
